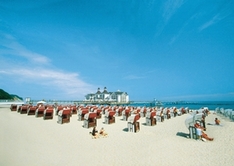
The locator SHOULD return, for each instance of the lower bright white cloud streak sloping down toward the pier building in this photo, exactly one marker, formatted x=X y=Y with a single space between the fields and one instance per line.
x=67 y=83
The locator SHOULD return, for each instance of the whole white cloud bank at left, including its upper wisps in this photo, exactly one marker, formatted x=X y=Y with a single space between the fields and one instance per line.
x=36 y=70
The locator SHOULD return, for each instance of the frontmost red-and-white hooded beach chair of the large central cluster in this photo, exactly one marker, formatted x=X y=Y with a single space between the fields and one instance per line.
x=133 y=123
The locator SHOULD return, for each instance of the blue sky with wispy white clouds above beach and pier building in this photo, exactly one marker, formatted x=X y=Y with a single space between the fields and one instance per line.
x=168 y=50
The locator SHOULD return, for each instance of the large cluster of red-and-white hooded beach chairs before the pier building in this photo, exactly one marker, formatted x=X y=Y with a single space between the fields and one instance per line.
x=90 y=114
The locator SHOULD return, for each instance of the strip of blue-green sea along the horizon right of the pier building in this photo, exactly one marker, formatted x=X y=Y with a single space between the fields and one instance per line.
x=212 y=105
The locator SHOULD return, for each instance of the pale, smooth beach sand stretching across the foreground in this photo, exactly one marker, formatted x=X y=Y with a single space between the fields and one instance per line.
x=27 y=140
